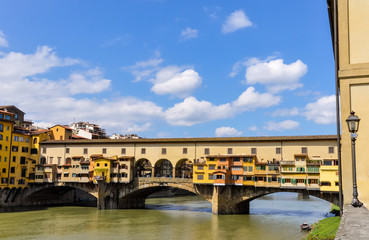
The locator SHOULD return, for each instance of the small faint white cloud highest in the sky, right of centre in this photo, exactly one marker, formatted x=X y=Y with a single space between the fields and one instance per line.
x=235 y=21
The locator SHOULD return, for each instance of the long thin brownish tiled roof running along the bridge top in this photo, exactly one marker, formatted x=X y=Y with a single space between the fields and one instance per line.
x=196 y=140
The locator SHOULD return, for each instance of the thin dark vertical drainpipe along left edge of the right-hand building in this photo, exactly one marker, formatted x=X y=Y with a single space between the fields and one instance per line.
x=336 y=59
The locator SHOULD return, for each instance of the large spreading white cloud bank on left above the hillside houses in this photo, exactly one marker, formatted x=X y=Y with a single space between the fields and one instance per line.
x=49 y=102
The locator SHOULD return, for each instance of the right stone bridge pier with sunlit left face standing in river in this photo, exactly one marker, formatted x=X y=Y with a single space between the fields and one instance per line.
x=228 y=200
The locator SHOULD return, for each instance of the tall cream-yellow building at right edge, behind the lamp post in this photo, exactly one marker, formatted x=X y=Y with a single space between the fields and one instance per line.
x=350 y=42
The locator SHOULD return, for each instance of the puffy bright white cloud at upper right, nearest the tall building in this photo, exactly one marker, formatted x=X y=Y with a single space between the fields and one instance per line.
x=276 y=75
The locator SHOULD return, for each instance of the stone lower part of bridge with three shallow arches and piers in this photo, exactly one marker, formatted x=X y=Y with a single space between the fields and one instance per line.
x=228 y=199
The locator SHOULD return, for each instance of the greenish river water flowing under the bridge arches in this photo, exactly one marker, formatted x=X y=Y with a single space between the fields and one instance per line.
x=275 y=216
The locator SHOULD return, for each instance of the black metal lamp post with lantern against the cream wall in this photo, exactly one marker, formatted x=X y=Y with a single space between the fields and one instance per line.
x=353 y=126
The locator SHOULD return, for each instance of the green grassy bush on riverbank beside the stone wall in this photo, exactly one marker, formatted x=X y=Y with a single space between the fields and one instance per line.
x=325 y=229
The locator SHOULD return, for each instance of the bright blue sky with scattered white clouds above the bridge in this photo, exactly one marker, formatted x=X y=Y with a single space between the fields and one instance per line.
x=171 y=68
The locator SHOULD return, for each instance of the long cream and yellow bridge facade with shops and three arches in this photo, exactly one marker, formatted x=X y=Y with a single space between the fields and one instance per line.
x=286 y=162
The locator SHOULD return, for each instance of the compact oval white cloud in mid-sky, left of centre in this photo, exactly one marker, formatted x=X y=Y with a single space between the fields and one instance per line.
x=176 y=81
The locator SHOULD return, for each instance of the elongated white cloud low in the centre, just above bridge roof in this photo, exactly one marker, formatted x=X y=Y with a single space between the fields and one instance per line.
x=191 y=111
